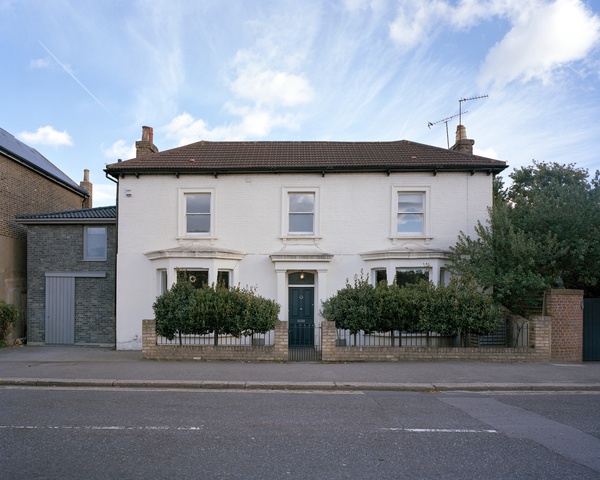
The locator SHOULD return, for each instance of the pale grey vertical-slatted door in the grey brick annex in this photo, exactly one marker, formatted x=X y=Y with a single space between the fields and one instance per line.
x=60 y=310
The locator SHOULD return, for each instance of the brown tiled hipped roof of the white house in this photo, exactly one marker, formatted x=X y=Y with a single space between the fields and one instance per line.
x=236 y=157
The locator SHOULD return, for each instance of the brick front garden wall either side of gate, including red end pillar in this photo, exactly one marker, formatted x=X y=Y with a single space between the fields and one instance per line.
x=551 y=338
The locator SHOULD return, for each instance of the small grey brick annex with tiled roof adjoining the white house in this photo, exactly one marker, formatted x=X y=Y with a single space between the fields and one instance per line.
x=71 y=268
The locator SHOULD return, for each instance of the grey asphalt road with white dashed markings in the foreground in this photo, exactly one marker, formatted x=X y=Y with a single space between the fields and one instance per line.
x=121 y=433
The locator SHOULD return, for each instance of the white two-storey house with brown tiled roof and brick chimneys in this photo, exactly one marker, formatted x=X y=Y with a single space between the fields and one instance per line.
x=293 y=219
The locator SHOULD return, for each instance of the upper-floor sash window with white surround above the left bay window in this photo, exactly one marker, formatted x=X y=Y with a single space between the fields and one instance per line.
x=196 y=213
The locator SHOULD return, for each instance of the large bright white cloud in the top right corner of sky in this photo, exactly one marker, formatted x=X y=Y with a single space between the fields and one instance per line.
x=542 y=41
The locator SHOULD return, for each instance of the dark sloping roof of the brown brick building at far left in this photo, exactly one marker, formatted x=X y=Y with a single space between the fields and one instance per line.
x=12 y=147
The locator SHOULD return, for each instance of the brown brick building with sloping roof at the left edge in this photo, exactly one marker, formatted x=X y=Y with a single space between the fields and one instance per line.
x=28 y=183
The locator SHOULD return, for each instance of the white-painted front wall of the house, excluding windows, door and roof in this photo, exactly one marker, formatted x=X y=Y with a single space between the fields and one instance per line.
x=355 y=216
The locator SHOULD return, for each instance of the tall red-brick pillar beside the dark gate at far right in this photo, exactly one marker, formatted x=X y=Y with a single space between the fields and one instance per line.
x=564 y=306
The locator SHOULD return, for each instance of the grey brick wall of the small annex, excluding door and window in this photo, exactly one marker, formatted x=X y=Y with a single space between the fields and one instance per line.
x=59 y=248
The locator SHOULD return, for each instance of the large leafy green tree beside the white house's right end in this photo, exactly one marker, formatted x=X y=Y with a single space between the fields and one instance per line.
x=543 y=231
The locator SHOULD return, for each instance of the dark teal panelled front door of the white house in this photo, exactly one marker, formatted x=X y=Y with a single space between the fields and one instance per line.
x=301 y=316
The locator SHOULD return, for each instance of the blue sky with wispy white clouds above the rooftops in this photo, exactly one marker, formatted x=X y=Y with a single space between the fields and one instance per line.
x=80 y=78
